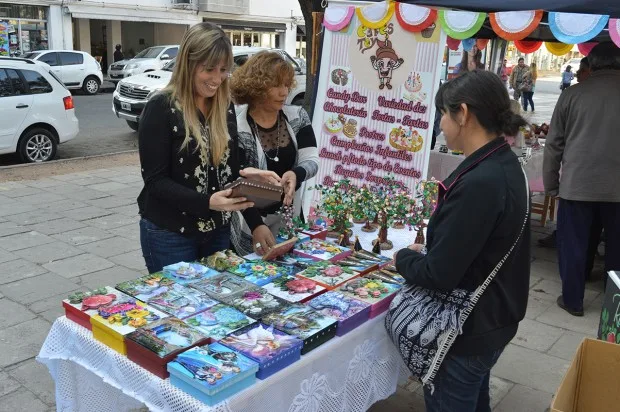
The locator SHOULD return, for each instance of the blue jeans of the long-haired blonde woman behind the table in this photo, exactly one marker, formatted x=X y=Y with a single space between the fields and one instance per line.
x=160 y=247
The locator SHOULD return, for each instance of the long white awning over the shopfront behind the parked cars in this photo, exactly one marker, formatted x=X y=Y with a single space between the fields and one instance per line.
x=103 y=12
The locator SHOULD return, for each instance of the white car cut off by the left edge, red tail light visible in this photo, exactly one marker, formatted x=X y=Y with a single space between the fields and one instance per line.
x=40 y=109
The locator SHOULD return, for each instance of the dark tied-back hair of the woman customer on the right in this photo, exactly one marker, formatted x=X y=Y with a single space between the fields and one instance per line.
x=486 y=98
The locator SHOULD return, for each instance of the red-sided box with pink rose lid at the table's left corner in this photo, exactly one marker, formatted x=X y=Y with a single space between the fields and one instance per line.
x=80 y=306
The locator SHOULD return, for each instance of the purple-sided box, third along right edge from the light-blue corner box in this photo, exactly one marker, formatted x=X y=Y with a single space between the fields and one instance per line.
x=349 y=311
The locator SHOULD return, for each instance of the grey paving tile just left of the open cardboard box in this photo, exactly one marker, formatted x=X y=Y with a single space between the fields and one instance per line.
x=531 y=368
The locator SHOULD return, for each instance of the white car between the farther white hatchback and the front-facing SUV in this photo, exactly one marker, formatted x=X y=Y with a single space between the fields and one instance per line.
x=148 y=60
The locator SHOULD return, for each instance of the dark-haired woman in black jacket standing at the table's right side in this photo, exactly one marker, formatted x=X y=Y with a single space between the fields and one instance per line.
x=480 y=215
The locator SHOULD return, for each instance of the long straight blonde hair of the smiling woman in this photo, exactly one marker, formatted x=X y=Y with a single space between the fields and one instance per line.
x=204 y=44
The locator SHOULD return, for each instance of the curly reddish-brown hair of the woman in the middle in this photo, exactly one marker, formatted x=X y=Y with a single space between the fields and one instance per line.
x=263 y=71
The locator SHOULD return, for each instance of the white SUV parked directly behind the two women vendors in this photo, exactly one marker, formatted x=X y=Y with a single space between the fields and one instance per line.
x=132 y=94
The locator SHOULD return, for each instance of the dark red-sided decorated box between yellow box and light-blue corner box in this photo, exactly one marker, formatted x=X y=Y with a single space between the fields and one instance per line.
x=155 y=345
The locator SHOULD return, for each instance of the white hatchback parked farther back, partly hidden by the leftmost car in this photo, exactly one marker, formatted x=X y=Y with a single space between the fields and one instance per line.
x=76 y=69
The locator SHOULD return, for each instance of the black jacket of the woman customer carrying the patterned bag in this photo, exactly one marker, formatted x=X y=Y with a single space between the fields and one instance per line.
x=480 y=213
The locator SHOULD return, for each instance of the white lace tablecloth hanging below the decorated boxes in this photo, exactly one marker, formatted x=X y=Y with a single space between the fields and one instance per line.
x=348 y=373
